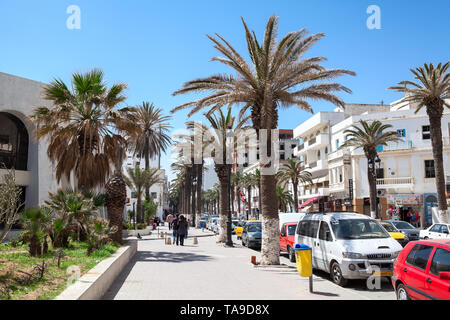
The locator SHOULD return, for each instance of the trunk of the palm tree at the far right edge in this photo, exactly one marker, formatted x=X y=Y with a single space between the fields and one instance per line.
x=436 y=142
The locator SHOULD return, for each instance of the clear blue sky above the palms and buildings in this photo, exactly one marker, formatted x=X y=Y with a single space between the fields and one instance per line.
x=155 y=46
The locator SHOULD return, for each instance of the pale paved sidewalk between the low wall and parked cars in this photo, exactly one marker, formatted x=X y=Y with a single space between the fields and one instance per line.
x=210 y=271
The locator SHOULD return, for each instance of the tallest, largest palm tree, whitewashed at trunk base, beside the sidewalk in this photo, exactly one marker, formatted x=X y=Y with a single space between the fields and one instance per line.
x=278 y=76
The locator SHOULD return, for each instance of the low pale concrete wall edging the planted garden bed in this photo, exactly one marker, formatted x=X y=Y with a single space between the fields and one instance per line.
x=96 y=282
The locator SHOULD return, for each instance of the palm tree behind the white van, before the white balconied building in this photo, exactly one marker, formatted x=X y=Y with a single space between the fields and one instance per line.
x=369 y=137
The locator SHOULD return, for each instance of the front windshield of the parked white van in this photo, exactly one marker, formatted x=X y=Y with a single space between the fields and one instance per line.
x=350 y=229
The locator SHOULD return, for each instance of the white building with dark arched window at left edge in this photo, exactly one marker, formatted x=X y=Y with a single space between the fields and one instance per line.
x=19 y=148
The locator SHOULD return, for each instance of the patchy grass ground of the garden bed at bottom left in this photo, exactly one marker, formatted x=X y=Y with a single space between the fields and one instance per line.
x=16 y=266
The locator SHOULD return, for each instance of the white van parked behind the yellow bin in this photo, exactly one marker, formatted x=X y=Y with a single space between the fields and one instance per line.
x=348 y=245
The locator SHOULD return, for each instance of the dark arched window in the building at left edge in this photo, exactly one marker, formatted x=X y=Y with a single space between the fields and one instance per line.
x=13 y=142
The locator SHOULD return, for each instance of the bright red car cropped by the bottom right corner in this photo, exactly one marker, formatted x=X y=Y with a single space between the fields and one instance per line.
x=422 y=271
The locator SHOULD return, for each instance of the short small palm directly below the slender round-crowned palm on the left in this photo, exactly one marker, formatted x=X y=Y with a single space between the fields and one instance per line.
x=138 y=180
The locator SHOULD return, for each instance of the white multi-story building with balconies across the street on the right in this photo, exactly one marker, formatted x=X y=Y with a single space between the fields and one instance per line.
x=405 y=172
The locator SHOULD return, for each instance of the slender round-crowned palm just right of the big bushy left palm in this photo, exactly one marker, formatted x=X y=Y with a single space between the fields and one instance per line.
x=152 y=137
